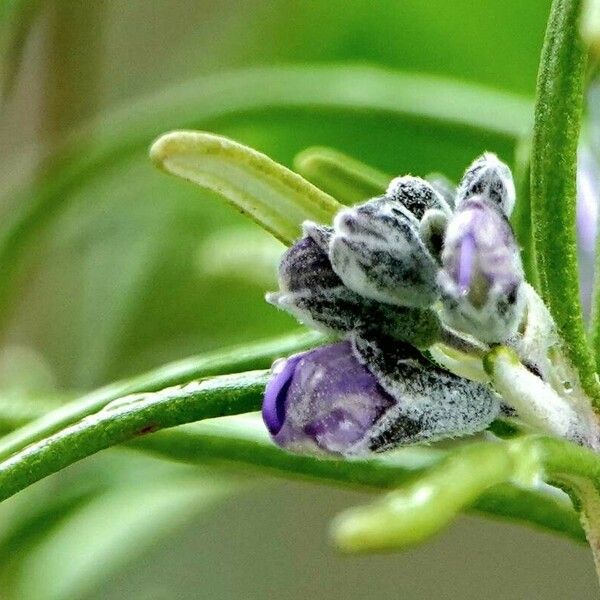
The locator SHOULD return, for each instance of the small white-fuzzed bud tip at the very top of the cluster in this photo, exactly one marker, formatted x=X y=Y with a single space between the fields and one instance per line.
x=489 y=178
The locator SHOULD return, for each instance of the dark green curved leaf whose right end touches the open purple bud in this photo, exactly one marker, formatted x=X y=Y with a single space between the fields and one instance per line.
x=128 y=418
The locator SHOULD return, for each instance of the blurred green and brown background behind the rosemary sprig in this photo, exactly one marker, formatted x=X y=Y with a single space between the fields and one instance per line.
x=123 y=269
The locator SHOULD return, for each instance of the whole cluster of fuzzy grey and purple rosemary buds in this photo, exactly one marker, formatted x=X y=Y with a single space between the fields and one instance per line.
x=395 y=279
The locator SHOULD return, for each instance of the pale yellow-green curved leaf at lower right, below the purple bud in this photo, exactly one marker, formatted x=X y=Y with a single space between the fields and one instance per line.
x=465 y=477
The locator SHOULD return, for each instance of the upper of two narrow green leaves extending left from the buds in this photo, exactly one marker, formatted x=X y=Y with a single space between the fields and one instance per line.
x=254 y=356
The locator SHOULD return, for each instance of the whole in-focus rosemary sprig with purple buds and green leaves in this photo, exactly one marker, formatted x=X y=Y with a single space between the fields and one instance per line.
x=434 y=318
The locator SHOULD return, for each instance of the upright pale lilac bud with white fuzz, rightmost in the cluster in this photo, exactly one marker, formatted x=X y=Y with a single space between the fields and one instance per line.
x=482 y=275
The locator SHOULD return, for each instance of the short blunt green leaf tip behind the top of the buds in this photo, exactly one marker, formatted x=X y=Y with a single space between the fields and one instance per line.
x=342 y=176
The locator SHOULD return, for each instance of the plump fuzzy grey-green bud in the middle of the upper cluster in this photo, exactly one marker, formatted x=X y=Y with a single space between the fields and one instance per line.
x=377 y=252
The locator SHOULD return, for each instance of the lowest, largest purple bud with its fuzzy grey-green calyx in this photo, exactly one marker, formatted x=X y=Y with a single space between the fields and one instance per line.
x=328 y=401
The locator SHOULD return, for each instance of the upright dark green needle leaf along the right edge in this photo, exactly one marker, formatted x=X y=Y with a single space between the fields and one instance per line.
x=558 y=115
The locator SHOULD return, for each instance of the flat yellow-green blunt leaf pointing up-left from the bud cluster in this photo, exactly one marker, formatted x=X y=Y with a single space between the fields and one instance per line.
x=276 y=198
